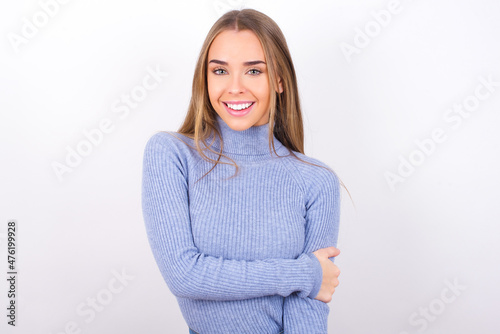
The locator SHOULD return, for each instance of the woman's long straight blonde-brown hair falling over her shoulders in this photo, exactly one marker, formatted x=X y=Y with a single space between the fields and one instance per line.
x=285 y=117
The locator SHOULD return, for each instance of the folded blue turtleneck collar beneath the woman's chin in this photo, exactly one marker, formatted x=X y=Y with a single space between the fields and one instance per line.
x=252 y=143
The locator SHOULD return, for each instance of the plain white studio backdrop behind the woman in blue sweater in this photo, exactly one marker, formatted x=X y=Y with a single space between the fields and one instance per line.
x=362 y=114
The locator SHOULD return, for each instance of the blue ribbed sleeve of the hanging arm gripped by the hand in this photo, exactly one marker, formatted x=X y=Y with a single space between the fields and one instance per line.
x=308 y=315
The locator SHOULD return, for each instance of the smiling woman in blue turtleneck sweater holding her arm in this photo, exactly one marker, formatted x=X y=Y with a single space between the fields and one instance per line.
x=242 y=224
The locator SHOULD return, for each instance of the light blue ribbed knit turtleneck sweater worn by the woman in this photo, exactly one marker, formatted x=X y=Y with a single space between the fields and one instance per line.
x=237 y=253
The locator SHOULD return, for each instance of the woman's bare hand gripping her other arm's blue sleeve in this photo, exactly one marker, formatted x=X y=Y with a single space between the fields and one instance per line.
x=330 y=273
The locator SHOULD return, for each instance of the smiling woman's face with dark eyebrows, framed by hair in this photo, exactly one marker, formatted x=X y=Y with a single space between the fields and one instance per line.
x=238 y=85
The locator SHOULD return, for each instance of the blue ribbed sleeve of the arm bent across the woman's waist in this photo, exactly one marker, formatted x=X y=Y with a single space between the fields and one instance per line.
x=190 y=273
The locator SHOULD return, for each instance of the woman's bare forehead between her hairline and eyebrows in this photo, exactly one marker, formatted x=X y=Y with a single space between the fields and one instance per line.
x=236 y=46
